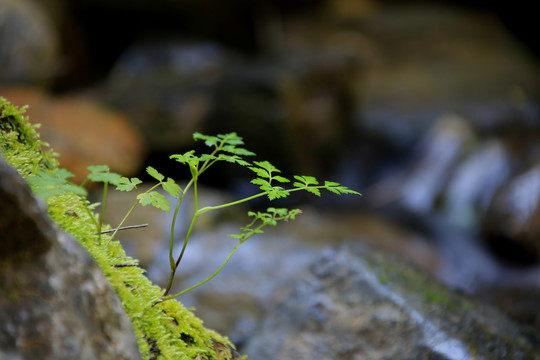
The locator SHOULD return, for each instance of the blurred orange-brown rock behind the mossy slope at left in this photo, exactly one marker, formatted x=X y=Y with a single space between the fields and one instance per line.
x=82 y=131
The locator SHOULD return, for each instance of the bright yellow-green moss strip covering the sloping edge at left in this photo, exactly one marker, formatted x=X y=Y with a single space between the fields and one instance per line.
x=165 y=331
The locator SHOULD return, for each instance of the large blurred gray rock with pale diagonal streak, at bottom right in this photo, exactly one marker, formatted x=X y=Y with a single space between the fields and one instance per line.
x=359 y=304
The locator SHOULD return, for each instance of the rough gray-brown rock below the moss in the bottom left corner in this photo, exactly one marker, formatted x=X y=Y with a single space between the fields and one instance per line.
x=55 y=302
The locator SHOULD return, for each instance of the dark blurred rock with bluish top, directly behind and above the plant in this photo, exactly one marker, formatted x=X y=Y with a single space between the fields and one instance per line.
x=165 y=88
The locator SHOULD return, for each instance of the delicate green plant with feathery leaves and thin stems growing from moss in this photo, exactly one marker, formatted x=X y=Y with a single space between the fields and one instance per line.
x=224 y=148
